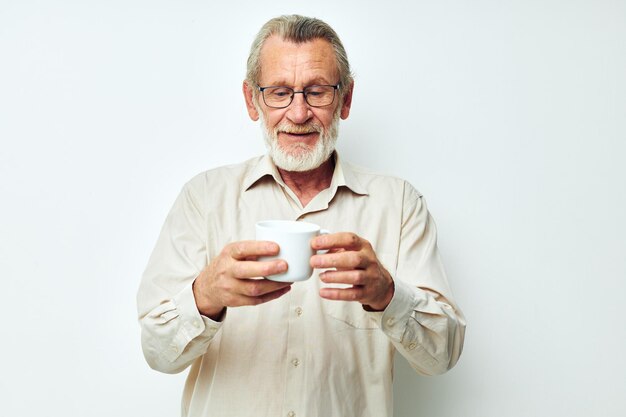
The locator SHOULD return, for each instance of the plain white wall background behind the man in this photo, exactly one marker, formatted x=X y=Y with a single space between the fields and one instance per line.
x=510 y=117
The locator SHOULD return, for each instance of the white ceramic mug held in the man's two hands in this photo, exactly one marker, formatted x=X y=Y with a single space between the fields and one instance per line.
x=294 y=240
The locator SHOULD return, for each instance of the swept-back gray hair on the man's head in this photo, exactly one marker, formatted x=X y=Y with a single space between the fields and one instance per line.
x=298 y=29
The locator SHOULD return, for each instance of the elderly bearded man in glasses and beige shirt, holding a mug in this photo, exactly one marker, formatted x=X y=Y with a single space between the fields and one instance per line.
x=258 y=347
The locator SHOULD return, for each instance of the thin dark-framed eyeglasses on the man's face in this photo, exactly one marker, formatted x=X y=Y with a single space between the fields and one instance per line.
x=314 y=95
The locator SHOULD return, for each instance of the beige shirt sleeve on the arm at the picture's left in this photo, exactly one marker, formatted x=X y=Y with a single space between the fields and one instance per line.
x=173 y=332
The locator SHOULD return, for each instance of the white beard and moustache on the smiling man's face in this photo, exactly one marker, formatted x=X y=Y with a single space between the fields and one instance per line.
x=299 y=157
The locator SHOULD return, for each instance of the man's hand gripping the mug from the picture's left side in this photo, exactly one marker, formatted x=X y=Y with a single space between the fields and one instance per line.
x=235 y=278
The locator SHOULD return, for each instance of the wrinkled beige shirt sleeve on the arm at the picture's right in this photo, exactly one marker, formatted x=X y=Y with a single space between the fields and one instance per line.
x=422 y=320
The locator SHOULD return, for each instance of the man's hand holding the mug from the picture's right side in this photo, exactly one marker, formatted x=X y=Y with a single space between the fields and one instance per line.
x=355 y=264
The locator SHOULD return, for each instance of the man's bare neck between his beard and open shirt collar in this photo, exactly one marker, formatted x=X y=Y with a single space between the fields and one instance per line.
x=307 y=184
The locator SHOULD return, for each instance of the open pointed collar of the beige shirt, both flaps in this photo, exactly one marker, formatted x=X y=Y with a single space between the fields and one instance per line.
x=343 y=175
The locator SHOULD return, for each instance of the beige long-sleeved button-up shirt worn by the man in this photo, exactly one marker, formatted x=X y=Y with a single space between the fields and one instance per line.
x=299 y=355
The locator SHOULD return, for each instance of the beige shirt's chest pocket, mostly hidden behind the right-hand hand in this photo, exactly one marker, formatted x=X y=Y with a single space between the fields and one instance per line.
x=351 y=314
